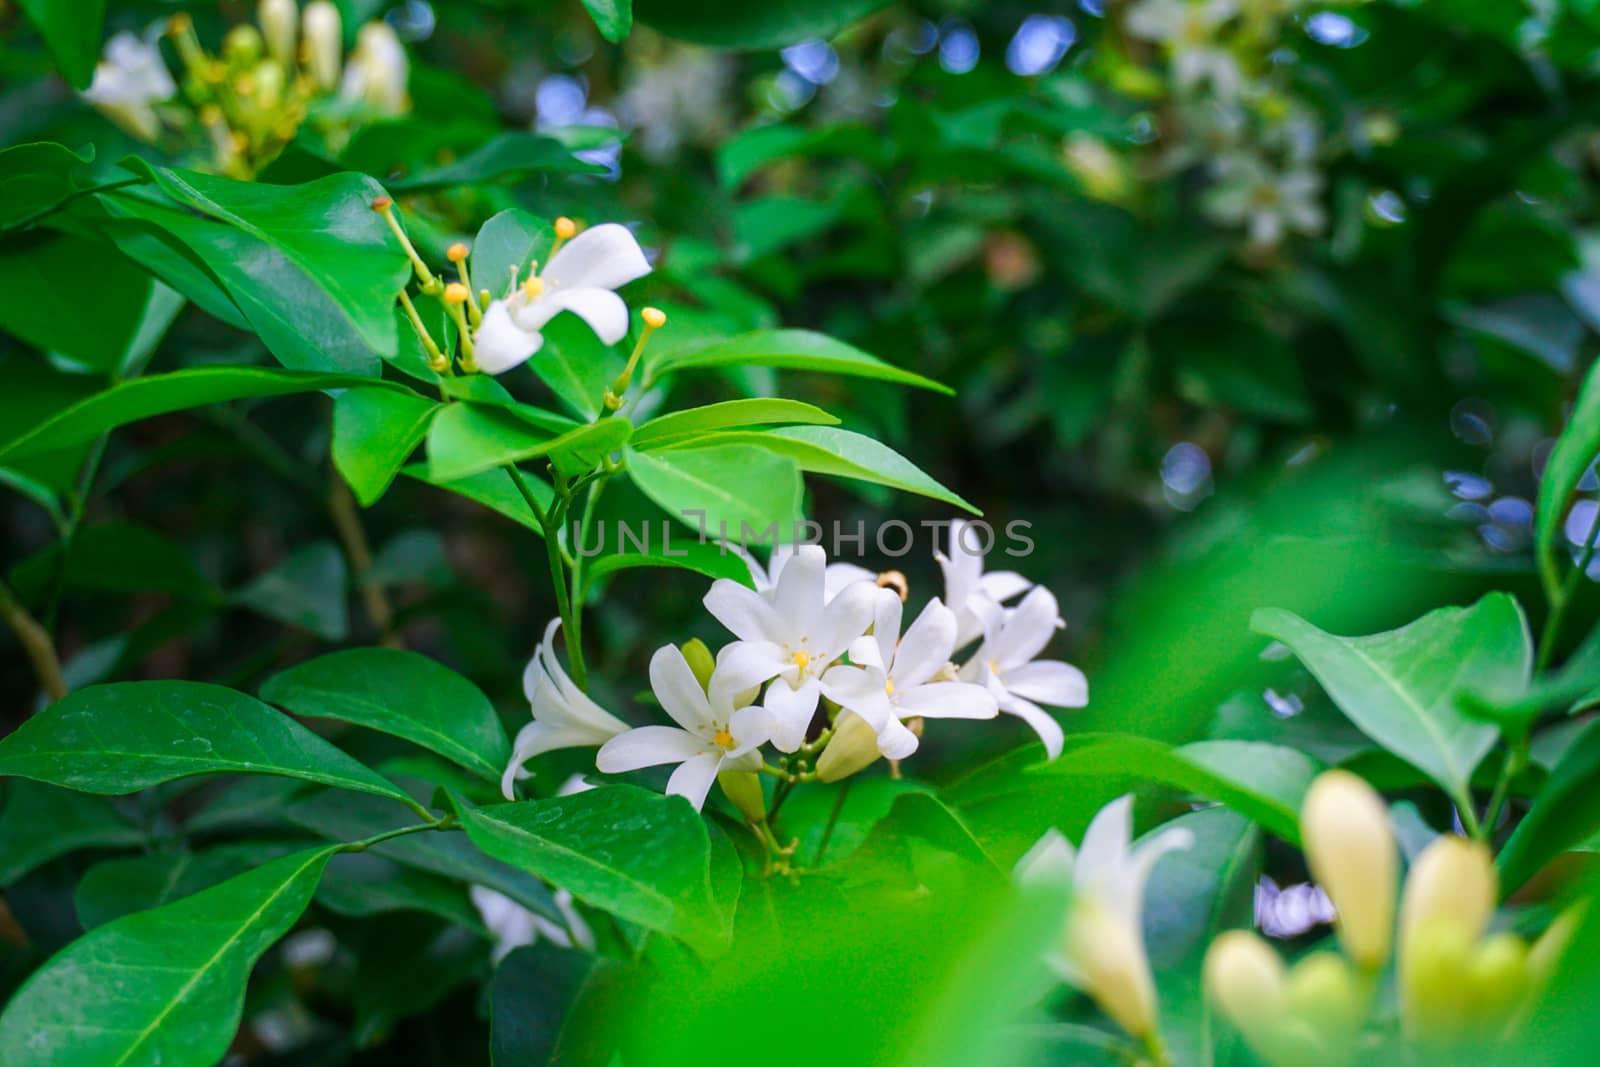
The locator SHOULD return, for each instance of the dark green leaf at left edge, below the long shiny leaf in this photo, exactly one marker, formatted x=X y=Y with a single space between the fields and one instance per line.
x=41 y=823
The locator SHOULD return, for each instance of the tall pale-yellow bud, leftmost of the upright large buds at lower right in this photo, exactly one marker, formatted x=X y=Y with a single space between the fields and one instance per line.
x=1353 y=857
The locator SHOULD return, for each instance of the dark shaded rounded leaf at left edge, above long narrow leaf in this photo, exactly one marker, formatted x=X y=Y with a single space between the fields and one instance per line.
x=44 y=274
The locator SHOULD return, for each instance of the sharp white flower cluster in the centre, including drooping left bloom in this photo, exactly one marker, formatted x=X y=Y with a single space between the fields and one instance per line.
x=810 y=631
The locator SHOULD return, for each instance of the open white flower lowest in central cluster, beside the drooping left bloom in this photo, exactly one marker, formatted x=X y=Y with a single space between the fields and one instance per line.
x=711 y=737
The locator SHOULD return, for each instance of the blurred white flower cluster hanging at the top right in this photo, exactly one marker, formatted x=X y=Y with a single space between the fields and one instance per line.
x=1254 y=137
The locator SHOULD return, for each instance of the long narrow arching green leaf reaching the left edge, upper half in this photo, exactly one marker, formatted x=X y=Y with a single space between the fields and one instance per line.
x=162 y=394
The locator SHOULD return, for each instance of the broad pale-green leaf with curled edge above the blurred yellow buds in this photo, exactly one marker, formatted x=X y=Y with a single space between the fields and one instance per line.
x=1402 y=689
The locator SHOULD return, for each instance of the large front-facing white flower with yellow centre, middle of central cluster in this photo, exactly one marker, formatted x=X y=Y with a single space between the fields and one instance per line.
x=790 y=636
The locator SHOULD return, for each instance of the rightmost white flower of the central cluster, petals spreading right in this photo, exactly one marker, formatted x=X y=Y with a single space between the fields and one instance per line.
x=1006 y=665
